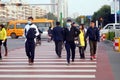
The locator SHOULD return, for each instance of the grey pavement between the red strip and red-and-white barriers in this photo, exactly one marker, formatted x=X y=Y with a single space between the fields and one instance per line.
x=114 y=58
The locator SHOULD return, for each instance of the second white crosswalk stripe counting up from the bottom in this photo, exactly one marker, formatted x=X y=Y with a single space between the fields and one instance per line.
x=48 y=70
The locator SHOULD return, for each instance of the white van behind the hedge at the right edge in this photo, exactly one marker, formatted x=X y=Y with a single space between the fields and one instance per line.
x=110 y=26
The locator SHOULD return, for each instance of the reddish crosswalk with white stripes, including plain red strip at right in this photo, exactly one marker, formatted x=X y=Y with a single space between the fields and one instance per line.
x=48 y=66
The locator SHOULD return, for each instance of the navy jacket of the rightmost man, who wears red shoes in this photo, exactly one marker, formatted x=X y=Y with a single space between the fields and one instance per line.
x=93 y=34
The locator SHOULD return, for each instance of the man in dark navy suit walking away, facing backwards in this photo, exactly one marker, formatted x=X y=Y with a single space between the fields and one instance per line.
x=58 y=38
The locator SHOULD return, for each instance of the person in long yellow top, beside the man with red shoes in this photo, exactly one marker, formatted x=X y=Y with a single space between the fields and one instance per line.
x=82 y=42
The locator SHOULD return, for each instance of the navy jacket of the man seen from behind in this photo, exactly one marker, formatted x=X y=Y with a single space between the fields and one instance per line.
x=57 y=33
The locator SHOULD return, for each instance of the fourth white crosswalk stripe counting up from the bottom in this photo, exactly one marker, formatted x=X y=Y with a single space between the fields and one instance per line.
x=47 y=62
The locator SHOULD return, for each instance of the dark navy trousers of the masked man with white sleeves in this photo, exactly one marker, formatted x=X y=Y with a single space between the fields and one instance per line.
x=30 y=49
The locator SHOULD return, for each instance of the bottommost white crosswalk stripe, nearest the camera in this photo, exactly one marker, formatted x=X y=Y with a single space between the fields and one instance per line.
x=48 y=76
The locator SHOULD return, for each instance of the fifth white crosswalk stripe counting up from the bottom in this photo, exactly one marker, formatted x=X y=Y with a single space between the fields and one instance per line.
x=43 y=59
